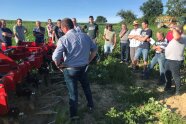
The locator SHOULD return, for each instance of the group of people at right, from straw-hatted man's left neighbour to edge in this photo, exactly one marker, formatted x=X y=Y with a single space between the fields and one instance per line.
x=169 y=51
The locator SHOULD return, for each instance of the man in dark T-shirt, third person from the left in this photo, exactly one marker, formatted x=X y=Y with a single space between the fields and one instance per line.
x=39 y=33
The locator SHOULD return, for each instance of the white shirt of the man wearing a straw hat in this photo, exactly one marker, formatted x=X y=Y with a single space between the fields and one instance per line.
x=133 y=42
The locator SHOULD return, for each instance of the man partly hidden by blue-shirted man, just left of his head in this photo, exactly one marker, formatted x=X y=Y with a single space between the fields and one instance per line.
x=57 y=32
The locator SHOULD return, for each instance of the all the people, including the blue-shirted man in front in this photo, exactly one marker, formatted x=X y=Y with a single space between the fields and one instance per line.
x=78 y=46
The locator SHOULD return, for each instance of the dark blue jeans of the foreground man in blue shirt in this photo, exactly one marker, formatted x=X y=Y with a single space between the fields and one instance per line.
x=72 y=76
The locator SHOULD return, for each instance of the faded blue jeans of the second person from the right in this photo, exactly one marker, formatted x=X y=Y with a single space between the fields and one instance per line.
x=160 y=59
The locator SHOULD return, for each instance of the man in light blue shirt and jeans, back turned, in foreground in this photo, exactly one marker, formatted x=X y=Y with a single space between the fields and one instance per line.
x=78 y=51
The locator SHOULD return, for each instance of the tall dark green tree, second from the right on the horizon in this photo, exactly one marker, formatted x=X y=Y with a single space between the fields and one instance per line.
x=151 y=9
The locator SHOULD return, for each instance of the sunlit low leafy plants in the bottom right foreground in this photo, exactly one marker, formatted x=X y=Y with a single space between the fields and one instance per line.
x=151 y=112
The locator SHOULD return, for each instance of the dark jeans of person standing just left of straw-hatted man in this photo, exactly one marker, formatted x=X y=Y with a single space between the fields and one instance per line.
x=124 y=51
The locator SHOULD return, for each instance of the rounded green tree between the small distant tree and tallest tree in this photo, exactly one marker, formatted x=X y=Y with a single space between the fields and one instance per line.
x=127 y=15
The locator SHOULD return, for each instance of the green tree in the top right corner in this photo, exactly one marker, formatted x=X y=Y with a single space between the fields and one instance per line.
x=176 y=7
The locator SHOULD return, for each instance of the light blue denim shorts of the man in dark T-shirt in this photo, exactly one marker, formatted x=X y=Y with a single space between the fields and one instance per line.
x=142 y=51
